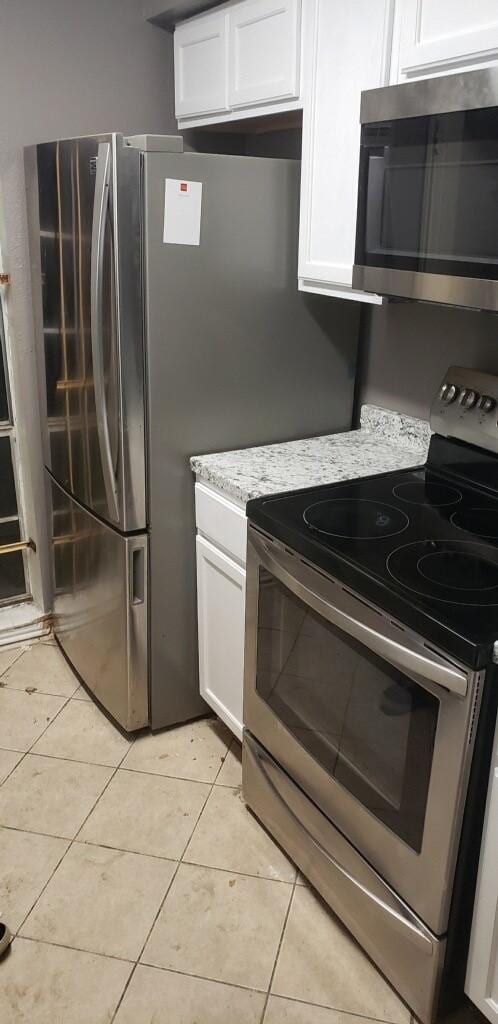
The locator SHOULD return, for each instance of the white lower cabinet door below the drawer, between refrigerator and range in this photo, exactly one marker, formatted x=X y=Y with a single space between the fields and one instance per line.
x=222 y=601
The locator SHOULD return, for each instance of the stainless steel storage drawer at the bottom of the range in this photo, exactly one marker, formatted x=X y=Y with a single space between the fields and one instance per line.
x=396 y=940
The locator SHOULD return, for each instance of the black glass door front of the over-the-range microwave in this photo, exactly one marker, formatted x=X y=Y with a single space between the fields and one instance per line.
x=429 y=195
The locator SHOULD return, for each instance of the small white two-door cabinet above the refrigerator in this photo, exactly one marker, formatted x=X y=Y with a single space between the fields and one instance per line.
x=242 y=60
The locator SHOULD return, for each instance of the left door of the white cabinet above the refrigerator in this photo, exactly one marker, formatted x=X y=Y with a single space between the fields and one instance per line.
x=201 y=66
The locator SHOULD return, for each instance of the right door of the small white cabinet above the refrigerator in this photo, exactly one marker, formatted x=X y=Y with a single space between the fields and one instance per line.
x=265 y=48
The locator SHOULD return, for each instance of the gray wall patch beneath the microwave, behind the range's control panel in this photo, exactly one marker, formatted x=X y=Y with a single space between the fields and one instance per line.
x=407 y=348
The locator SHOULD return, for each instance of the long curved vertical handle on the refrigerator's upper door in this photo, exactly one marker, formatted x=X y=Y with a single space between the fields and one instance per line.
x=101 y=207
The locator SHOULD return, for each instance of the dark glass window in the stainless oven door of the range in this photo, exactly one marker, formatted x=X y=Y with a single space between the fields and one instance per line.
x=370 y=727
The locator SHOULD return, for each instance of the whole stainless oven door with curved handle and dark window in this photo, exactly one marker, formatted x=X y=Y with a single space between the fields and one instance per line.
x=373 y=726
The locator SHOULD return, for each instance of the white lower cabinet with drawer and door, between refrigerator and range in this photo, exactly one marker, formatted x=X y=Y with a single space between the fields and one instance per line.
x=221 y=606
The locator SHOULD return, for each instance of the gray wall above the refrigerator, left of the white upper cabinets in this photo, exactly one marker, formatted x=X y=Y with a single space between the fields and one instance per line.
x=79 y=67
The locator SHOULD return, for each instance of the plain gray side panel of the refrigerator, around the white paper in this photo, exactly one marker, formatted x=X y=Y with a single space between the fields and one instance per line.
x=236 y=356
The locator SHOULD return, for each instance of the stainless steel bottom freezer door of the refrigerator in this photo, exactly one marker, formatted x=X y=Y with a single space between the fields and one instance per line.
x=101 y=608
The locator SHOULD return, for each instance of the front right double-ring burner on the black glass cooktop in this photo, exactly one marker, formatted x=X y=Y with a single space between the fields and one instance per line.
x=458 y=572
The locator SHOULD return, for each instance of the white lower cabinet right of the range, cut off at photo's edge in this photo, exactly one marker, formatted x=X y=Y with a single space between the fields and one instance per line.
x=482 y=983
